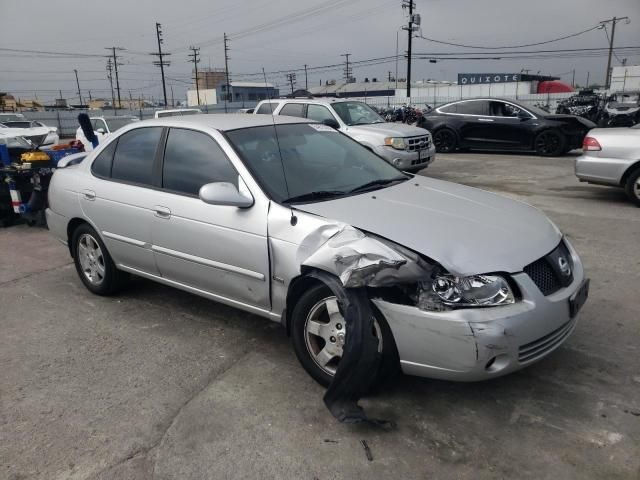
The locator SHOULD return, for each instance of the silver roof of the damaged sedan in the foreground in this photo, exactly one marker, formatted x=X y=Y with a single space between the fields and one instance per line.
x=222 y=121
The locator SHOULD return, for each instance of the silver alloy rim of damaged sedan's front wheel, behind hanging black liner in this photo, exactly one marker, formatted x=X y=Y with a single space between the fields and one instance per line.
x=325 y=333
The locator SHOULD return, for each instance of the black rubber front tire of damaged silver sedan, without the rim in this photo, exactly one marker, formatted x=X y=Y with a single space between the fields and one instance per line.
x=309 y=308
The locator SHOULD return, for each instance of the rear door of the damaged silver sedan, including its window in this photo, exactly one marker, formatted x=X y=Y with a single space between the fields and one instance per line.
x=120 y=197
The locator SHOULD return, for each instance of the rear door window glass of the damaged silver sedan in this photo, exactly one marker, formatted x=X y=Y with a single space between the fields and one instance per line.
x=133 y=160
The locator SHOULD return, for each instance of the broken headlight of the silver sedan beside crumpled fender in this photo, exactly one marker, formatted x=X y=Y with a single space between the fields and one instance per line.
x=473 y=291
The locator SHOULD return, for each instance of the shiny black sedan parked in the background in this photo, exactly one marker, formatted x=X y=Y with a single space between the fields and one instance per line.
x=496 y=124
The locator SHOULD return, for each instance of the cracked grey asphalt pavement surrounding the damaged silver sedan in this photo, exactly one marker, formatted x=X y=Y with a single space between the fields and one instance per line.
x=158 y=383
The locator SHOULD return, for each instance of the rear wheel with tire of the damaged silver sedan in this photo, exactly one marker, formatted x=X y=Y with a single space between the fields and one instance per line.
x=93 y=263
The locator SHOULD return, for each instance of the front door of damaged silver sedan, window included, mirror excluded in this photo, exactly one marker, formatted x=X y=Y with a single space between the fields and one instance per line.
x=219 y=249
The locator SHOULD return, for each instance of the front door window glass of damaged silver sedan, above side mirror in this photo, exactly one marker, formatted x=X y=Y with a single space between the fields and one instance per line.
x=193 y=159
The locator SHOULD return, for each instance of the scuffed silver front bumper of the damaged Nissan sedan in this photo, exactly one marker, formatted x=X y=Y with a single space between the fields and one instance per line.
x=480 y=343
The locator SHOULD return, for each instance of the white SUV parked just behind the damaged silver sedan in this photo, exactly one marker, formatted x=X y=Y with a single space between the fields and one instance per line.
x=405 y=147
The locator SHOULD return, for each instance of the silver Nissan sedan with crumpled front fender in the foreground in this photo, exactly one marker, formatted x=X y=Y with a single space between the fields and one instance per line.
x=464 y=284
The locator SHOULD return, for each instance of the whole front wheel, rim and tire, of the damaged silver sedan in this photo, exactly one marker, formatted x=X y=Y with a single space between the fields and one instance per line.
x=318 y=334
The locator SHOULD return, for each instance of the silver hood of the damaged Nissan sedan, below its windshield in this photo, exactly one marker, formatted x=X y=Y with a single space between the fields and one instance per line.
x=467 y=230
